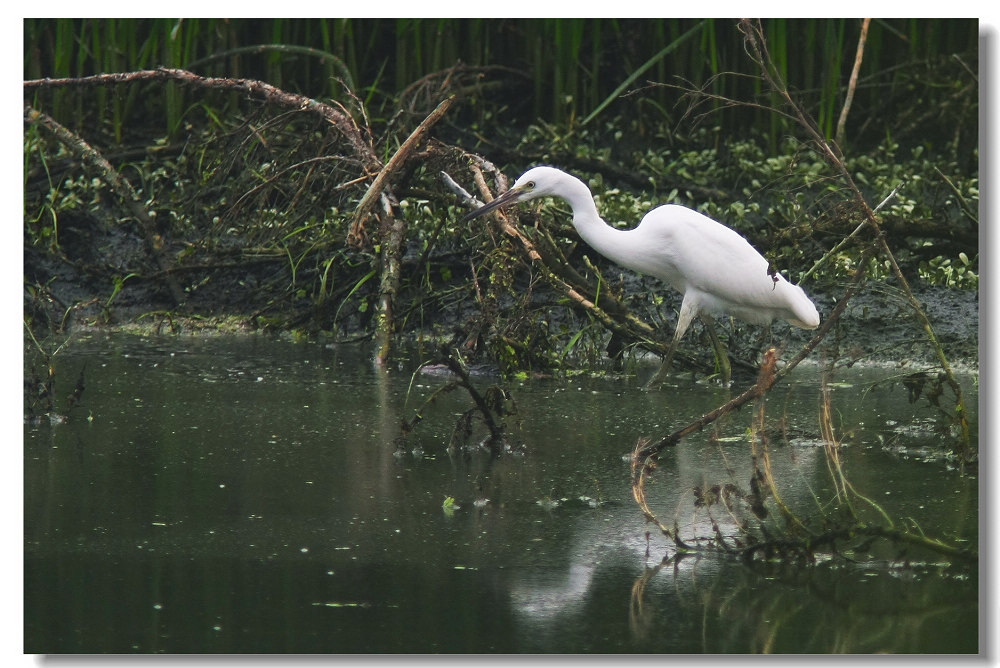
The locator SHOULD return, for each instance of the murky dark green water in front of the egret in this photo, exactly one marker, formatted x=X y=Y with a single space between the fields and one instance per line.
x=243 y=495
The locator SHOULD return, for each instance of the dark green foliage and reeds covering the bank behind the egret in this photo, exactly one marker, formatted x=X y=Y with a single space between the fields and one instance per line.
x=253 y=201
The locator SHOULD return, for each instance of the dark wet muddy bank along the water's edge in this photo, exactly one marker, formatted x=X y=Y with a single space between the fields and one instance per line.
x=257 y=295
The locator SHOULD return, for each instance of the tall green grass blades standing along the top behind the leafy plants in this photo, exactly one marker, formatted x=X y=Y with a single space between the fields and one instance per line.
x=575 y=64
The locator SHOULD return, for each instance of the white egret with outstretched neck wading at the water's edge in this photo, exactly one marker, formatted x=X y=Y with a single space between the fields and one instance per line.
x=715 y=269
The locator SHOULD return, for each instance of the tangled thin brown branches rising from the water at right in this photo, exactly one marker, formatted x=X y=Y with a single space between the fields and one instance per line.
x=798 y=536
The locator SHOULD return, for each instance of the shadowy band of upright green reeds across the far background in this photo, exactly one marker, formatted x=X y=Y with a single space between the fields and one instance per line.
x=560 y=70
